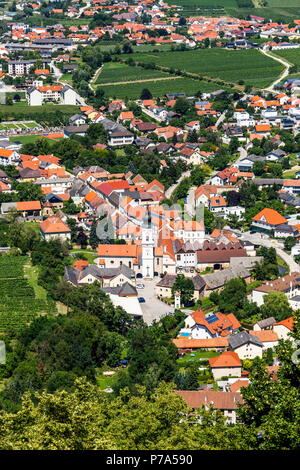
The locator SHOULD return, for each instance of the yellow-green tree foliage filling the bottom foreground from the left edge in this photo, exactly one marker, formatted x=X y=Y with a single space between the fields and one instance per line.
x=86 y=418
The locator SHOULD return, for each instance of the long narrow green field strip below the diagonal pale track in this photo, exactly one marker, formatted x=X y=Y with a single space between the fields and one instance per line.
x=161 y=87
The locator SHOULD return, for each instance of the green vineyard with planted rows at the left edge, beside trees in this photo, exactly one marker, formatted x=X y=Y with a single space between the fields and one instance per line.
x=19 y=305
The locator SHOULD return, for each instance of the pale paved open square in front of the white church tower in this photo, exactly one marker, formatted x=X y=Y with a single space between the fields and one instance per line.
x=153 y=308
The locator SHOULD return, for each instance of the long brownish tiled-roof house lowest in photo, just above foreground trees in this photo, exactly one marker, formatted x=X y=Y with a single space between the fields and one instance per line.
x=225 y=402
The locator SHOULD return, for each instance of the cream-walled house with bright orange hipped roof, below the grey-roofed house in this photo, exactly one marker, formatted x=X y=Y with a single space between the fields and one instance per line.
x=228 y=364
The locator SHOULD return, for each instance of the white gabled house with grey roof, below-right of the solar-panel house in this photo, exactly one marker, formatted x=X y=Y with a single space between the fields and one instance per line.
x=246 y=346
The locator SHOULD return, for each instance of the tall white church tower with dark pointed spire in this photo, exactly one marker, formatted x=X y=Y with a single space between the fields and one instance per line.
x=147 y=247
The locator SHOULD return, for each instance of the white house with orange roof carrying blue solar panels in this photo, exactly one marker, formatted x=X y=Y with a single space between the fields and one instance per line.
x=210 y=325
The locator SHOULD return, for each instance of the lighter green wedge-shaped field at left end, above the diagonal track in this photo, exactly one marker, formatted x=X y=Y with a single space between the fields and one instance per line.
x=116 y=72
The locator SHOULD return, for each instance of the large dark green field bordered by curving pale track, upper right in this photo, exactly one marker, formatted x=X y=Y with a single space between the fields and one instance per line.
x=251 y=66
